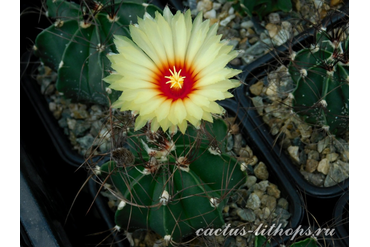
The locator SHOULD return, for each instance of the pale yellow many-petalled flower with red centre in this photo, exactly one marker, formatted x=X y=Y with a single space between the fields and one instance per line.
x=172 y=71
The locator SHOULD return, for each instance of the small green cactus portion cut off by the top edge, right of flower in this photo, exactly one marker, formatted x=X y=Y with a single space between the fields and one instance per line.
x=261 y=7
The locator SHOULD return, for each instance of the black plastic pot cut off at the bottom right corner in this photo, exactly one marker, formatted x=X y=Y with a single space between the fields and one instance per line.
x=341 y=216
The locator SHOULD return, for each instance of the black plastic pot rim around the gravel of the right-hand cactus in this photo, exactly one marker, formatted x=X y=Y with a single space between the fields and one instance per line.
x=256 y=71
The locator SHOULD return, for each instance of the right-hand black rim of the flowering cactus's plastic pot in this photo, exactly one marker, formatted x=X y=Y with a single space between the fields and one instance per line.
x=277 y=175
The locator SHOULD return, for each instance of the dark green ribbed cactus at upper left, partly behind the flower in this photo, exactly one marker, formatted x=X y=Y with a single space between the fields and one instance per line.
x=77 y=43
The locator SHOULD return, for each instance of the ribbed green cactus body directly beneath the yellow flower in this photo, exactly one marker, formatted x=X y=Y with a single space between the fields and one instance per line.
x=177 y=190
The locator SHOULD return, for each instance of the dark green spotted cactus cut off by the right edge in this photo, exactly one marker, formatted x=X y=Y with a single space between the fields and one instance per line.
x=321 y=76
